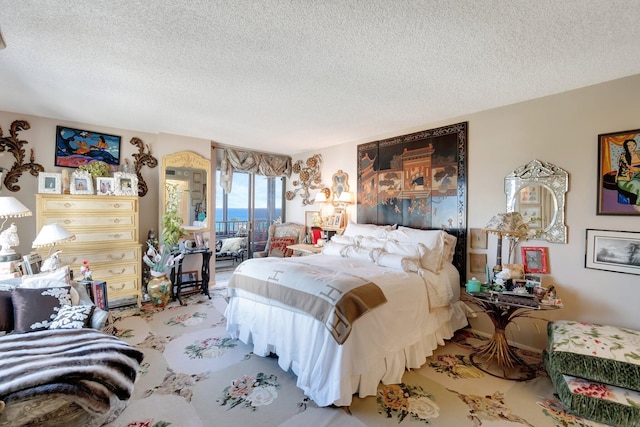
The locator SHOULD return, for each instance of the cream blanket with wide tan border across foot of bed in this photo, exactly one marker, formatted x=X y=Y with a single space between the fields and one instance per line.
x=335 y=298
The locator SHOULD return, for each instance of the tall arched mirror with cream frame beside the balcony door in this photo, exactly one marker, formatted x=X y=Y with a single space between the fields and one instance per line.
x=191 y=174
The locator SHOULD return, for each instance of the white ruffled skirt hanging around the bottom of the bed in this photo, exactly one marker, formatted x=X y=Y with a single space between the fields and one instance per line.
x=339 y=371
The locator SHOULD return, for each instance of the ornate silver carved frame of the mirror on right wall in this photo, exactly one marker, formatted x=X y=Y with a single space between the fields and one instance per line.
x=552 y=178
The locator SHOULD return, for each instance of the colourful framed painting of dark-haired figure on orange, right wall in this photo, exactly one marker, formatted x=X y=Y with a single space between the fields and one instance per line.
x=619 y=173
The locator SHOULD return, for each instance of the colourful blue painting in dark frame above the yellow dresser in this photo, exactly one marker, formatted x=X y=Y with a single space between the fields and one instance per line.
x=76 y=147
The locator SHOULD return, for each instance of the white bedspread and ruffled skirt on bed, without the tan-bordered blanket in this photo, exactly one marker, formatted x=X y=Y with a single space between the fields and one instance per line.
x=384 y=342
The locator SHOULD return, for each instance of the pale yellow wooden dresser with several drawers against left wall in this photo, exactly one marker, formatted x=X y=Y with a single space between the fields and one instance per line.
x=106 y=229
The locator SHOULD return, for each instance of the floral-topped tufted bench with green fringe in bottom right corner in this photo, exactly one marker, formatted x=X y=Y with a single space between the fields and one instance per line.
x=595 y=370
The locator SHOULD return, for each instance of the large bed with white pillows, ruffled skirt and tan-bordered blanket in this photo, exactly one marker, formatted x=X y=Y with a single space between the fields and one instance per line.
x=404 y=302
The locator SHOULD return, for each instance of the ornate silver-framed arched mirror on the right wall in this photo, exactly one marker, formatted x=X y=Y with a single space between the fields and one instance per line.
x=537 y=190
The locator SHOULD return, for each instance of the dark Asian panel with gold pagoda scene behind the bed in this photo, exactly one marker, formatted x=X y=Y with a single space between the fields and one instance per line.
x=417 y=180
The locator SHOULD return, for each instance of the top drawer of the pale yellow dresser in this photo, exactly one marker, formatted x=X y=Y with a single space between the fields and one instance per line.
x=79 y=204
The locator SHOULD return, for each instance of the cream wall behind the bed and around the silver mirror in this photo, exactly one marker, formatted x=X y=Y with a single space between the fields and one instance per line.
x=562 y=129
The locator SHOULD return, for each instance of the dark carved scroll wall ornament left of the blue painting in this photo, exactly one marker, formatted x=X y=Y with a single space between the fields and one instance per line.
x=14 y=145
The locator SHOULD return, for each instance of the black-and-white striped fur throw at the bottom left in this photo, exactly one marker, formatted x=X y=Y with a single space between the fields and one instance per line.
x=85 y=365
